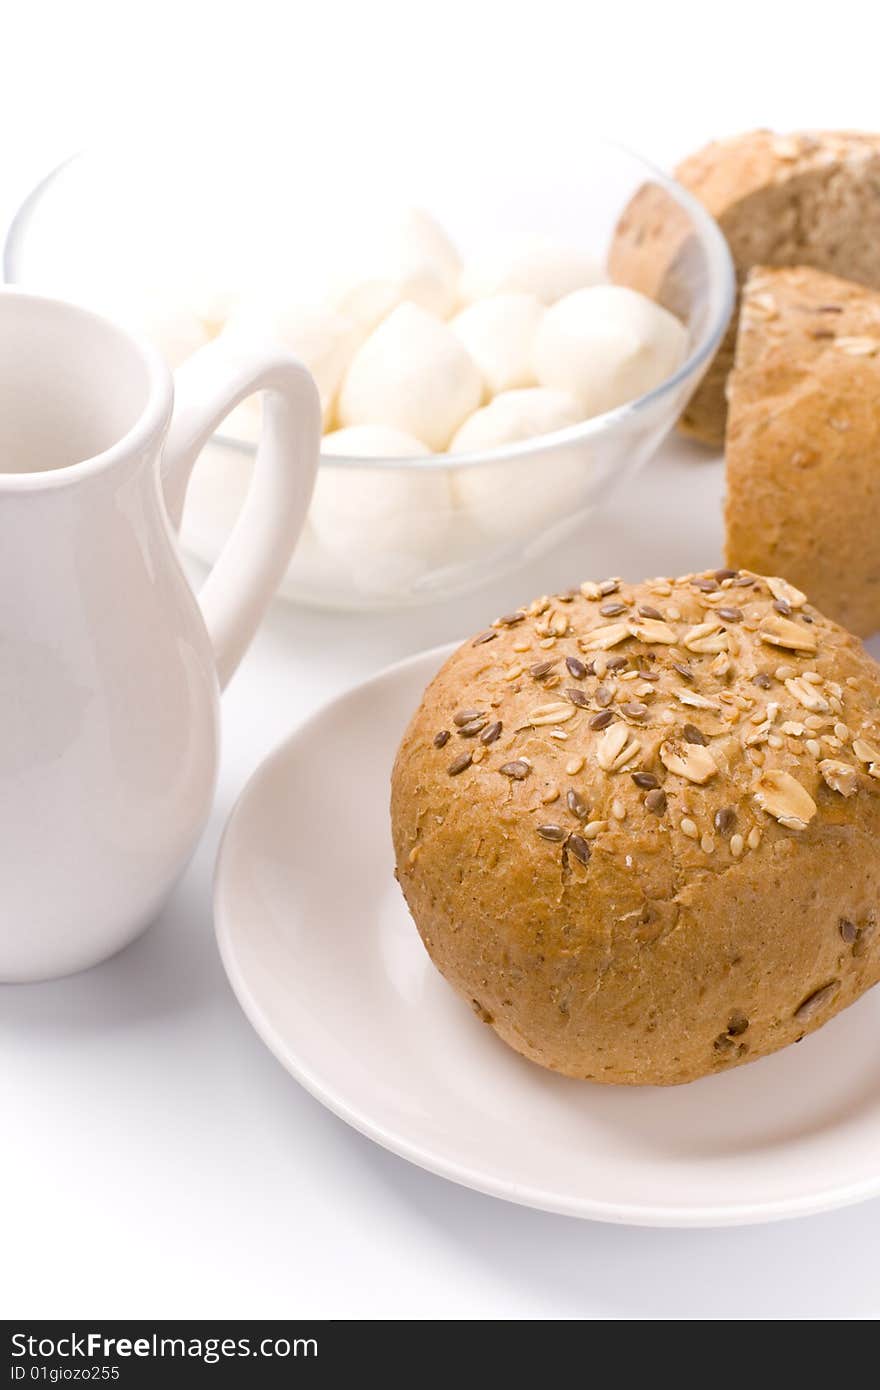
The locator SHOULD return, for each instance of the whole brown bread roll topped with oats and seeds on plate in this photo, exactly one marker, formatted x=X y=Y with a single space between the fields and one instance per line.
x=639 y=826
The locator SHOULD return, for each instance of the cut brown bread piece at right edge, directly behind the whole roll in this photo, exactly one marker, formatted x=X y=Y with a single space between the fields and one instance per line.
x=804 y=440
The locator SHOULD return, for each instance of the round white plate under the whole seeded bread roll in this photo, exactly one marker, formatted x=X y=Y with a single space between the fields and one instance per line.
x=330 y=971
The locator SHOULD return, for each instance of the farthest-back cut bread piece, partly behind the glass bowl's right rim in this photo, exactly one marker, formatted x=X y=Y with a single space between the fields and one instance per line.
x=810 y=199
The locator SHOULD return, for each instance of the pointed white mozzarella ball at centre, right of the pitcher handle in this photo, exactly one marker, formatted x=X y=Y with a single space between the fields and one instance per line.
x=415 y=375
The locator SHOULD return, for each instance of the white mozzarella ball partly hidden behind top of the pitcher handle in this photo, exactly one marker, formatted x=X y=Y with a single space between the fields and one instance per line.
x=322 y=338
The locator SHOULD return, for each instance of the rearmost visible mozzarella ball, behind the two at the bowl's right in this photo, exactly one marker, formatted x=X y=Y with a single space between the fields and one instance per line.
x=539 y=268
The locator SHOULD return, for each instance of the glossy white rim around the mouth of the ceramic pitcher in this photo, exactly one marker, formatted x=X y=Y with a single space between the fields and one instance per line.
x=148 y=429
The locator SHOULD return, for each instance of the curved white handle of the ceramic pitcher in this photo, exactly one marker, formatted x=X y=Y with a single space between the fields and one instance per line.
x=254 y=561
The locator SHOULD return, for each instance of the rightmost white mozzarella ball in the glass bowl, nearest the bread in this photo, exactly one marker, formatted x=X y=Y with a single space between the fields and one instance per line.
x=608 y=345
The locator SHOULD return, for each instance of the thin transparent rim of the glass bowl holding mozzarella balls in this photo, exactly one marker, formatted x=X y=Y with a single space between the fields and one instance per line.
x=721 y=269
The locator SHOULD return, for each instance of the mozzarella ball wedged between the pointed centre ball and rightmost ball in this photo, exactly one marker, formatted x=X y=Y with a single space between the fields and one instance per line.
x=500 y=334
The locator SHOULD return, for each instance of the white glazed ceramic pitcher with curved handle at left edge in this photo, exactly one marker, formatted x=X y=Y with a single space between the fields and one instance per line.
x=111 y=669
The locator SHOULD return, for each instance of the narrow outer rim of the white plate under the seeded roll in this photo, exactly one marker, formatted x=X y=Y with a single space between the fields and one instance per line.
x=628 y=1214
